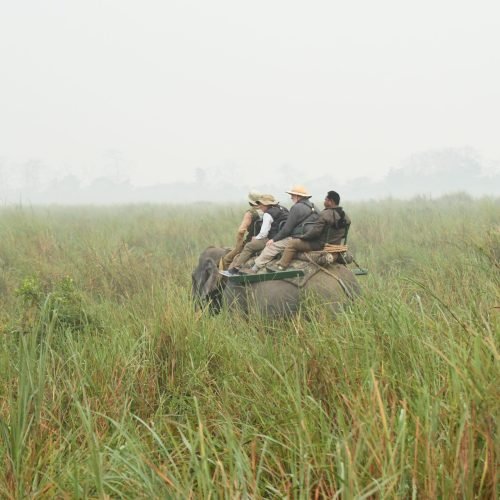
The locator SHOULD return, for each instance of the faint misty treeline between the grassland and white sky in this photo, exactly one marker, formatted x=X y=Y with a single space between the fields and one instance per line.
x=430 y=174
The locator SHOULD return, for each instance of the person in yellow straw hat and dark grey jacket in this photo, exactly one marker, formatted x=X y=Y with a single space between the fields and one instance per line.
x=301 y=213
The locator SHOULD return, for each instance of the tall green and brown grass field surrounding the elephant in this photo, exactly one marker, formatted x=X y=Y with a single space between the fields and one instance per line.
x=112 y=385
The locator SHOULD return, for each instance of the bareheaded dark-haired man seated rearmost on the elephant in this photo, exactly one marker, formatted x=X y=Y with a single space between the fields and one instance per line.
x=330 y=228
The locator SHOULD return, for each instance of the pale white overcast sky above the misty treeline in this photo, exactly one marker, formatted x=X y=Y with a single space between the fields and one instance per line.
x=160 y=88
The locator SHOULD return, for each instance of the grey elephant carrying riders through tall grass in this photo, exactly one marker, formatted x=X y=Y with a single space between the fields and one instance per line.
x=333 y=285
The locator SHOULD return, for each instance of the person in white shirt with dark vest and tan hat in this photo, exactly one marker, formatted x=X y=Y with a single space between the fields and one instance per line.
x=274 y=216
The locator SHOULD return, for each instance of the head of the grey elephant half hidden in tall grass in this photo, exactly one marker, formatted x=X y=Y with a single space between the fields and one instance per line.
x=206 y=284
